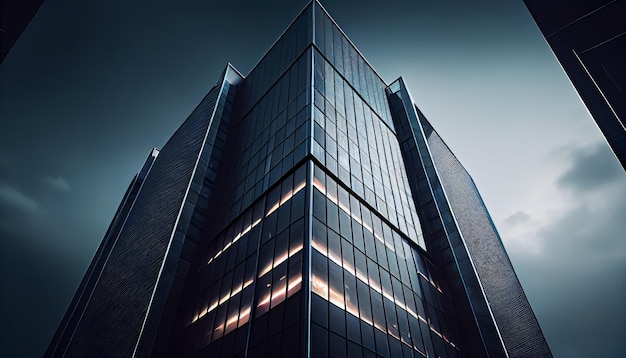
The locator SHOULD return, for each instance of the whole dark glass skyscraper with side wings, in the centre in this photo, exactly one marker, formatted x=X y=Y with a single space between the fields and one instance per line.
x=306 y=209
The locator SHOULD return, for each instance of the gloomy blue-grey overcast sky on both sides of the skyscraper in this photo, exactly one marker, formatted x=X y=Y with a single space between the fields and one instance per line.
x=91 y=87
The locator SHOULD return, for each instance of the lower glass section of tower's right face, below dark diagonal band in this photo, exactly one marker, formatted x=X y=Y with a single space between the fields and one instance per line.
x=373 y=291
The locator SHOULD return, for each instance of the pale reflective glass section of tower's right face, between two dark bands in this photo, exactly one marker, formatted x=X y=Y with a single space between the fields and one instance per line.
x=361 y=150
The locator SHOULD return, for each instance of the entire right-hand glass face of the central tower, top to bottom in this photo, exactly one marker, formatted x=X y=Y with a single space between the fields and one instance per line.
x=374 y=292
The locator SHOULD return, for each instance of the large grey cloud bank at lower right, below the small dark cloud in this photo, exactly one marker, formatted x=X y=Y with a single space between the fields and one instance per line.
x=582 y=288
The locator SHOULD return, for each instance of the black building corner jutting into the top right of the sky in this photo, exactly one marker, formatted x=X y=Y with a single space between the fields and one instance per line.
x=589 y=40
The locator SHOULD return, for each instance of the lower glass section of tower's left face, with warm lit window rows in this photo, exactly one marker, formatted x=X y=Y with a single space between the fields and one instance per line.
x=250 y=268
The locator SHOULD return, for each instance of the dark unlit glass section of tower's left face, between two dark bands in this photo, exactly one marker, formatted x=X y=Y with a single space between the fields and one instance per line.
x=273 y=135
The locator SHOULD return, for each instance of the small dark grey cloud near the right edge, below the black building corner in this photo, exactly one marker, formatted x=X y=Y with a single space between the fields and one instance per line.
x=592 y=167
